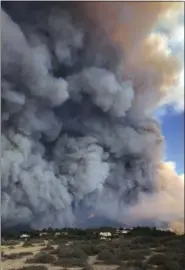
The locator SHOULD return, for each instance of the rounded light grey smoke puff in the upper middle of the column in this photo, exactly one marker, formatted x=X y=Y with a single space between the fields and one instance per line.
x=105 y=90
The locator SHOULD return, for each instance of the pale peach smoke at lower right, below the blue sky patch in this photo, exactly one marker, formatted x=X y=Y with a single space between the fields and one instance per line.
x=169 y=198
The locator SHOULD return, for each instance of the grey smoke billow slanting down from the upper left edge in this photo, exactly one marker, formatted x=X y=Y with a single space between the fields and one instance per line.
x=21 y=61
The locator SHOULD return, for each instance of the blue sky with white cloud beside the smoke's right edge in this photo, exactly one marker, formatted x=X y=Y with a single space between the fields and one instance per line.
x=171 y=117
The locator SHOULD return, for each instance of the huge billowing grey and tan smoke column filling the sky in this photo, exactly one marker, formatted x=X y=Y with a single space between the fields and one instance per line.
x=79 y=84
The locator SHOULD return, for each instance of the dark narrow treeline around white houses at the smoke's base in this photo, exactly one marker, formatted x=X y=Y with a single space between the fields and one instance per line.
x=86 y=234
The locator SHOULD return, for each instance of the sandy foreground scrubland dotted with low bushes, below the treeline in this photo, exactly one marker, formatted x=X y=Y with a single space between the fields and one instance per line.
x=125 y=254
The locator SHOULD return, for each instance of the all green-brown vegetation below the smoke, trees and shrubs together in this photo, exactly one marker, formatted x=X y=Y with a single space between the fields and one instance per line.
x=139 y=249
